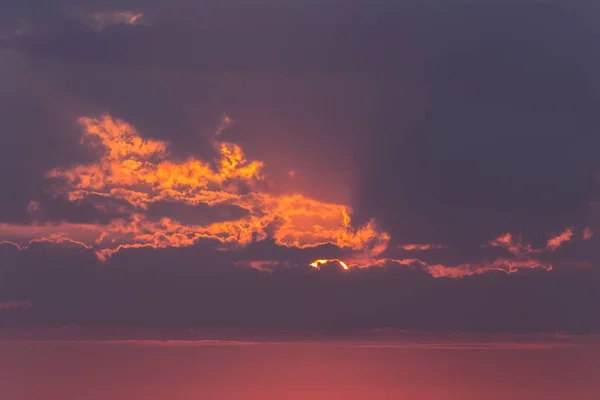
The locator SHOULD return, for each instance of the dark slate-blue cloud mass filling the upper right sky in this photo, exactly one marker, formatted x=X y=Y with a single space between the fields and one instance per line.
x=506 y=137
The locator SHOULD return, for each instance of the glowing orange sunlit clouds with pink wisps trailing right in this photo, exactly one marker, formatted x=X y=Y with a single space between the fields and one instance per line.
x=133 y=173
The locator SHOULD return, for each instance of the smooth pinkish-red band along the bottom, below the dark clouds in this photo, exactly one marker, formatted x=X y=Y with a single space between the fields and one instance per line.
x=127 y=370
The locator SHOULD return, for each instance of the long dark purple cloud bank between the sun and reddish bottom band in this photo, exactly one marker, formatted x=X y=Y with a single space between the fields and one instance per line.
x=178 y=289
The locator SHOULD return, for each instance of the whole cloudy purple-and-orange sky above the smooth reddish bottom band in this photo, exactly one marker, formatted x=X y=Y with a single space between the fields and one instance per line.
x=421 y=165
